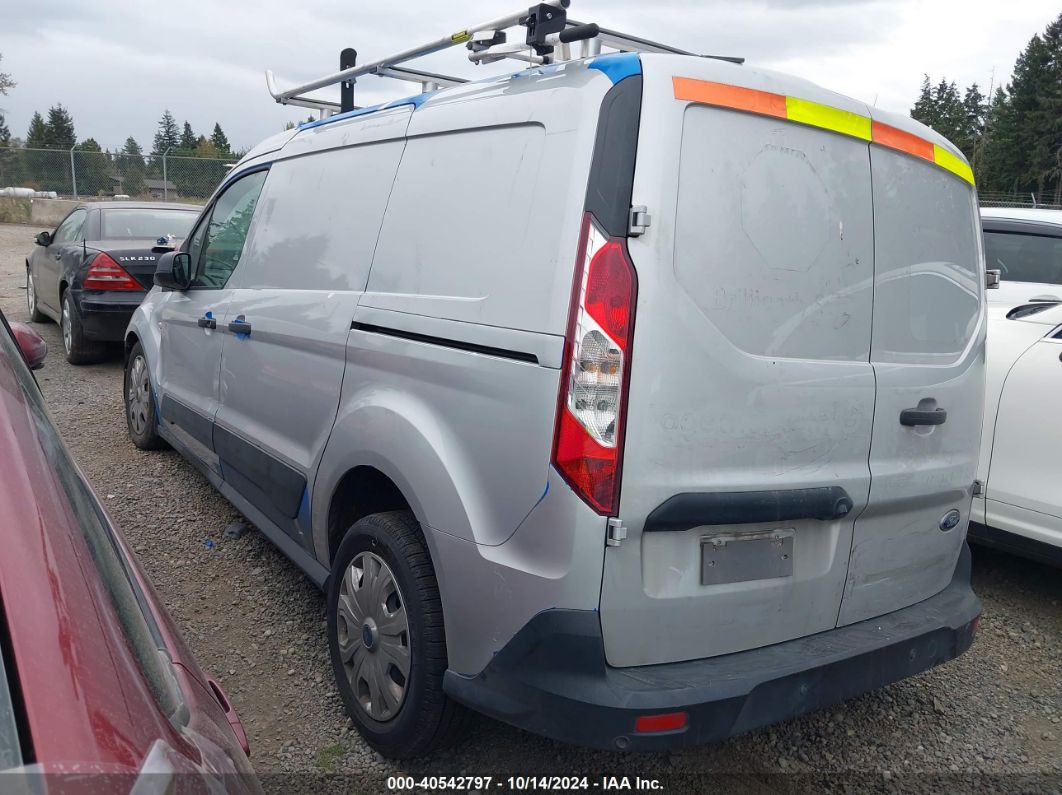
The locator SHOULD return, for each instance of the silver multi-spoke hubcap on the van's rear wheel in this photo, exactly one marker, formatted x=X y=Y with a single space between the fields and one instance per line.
x=374 y=636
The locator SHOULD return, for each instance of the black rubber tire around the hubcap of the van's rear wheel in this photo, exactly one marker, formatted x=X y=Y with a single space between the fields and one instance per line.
x=427 y=719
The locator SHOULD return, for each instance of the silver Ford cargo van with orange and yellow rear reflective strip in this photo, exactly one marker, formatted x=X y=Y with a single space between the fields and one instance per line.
x=635 y=401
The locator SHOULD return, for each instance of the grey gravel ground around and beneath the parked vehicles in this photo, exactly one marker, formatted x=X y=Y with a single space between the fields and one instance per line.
x=991 y=720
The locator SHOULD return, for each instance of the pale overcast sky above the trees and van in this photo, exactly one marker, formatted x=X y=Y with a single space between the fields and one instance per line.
x=116 y=65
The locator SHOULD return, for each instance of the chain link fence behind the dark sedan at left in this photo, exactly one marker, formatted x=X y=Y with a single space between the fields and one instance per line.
x=78 y=175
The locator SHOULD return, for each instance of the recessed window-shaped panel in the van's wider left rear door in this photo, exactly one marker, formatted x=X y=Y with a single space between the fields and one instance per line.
x=774 y=238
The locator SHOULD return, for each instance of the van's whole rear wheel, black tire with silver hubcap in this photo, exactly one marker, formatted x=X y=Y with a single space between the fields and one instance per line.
x=387 y=640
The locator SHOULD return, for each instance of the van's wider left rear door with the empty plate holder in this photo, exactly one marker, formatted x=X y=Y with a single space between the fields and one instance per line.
x=750 y=374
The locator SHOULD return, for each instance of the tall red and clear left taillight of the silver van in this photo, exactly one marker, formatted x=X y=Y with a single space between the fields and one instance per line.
x=589 y=438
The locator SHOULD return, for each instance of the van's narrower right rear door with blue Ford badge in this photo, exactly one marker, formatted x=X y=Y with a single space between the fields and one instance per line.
x=929 y=357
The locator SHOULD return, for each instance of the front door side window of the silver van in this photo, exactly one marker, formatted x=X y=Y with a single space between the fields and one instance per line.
x=218 y=243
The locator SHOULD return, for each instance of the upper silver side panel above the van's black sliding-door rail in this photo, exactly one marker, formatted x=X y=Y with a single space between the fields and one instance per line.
x=486 y=213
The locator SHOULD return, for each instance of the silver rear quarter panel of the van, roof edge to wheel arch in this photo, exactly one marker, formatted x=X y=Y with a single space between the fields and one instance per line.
x=453 y=364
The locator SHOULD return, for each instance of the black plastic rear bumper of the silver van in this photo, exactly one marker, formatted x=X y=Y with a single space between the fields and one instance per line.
x=553 y=680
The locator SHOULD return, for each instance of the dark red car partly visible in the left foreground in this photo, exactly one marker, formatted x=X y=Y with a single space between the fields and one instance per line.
x=96 y=683
